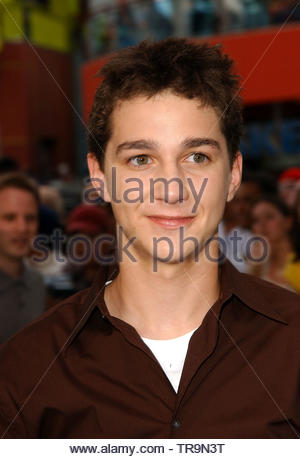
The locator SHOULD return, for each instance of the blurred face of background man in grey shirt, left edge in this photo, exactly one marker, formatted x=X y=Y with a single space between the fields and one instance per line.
x=18 y=222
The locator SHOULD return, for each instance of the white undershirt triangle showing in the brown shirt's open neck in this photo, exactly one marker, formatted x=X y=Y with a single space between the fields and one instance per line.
x=171 y=355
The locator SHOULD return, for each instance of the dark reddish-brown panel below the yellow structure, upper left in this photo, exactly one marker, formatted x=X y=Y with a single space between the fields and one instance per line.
x=35 y=87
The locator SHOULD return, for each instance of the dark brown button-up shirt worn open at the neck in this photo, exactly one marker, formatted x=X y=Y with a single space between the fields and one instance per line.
x=78 y=372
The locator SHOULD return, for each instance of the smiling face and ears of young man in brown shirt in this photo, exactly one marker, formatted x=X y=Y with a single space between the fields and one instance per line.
x=167 y=137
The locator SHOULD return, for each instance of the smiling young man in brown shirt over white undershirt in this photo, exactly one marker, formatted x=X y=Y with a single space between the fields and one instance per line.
x=175 y=344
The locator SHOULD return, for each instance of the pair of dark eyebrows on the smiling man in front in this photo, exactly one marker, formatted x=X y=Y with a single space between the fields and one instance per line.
x=189 y=142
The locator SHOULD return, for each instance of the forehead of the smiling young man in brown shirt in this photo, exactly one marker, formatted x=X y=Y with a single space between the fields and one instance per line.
x=164 y=116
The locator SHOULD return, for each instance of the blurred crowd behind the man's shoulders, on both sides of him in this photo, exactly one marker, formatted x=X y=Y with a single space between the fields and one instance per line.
x=46 y=256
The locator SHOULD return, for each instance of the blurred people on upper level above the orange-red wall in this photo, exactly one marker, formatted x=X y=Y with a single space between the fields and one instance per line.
x=136 y=20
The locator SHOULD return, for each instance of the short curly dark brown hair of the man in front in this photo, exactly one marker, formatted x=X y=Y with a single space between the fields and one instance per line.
x=189 y=69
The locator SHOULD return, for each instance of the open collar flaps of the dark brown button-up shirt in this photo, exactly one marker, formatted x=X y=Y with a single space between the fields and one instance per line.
x=251 y=291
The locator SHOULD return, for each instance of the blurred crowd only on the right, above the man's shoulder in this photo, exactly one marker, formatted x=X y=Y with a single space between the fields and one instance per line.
x=261 y=227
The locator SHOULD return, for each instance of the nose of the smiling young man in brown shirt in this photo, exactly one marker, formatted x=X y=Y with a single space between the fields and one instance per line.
x=169 y=185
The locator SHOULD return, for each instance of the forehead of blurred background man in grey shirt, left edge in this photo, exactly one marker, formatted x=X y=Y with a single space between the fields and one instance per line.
x=17 y=200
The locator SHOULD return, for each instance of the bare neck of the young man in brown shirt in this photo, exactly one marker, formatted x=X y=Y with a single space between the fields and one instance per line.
x=167 y=303
